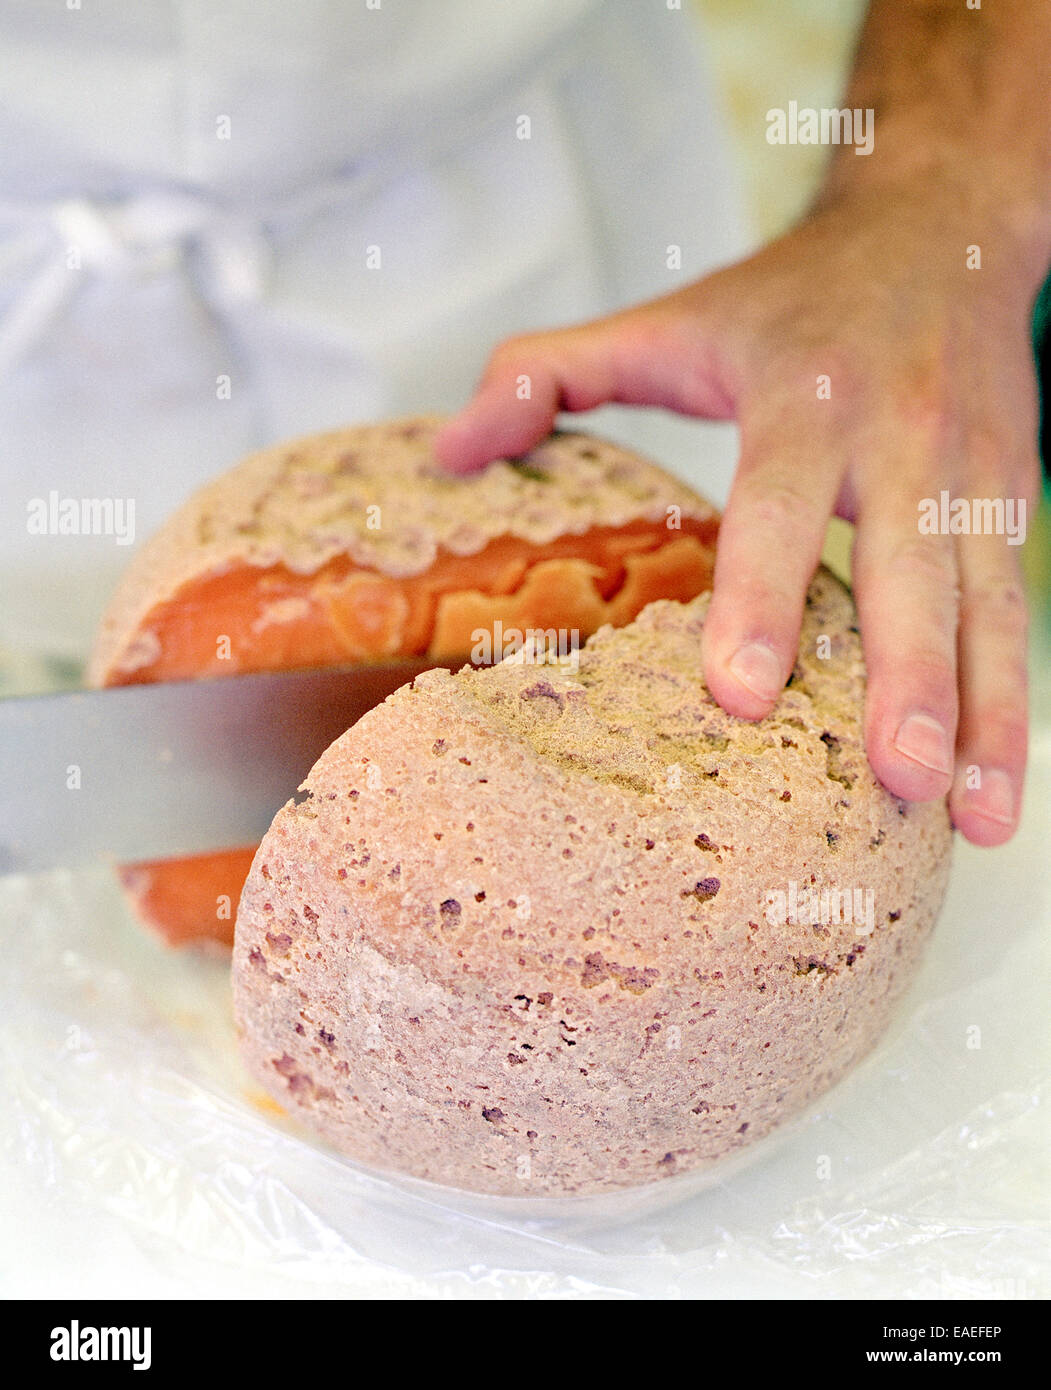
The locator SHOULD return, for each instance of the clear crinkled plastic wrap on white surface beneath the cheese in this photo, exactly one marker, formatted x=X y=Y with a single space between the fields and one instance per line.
x=140 y=1159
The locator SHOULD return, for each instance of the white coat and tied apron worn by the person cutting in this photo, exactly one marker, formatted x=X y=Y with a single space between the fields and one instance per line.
x=223 y=224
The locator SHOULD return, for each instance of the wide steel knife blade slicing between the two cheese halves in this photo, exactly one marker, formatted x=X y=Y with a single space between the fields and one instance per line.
x=176 y=768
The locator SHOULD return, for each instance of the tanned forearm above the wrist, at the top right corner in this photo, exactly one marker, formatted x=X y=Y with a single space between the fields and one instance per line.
x=963 y=106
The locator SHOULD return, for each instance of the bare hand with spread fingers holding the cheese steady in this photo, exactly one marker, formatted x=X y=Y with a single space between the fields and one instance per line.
x=870 y=369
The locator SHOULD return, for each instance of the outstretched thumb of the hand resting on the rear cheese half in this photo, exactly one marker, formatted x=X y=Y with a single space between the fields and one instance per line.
x=653 y=355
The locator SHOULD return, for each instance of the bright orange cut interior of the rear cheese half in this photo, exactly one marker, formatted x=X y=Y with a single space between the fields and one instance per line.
x=251 y=619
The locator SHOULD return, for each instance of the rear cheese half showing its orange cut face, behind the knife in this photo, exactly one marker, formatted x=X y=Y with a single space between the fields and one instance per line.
x=355 y=546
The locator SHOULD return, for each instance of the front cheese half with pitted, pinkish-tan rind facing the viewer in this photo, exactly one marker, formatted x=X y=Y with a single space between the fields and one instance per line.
x=571 y=928
